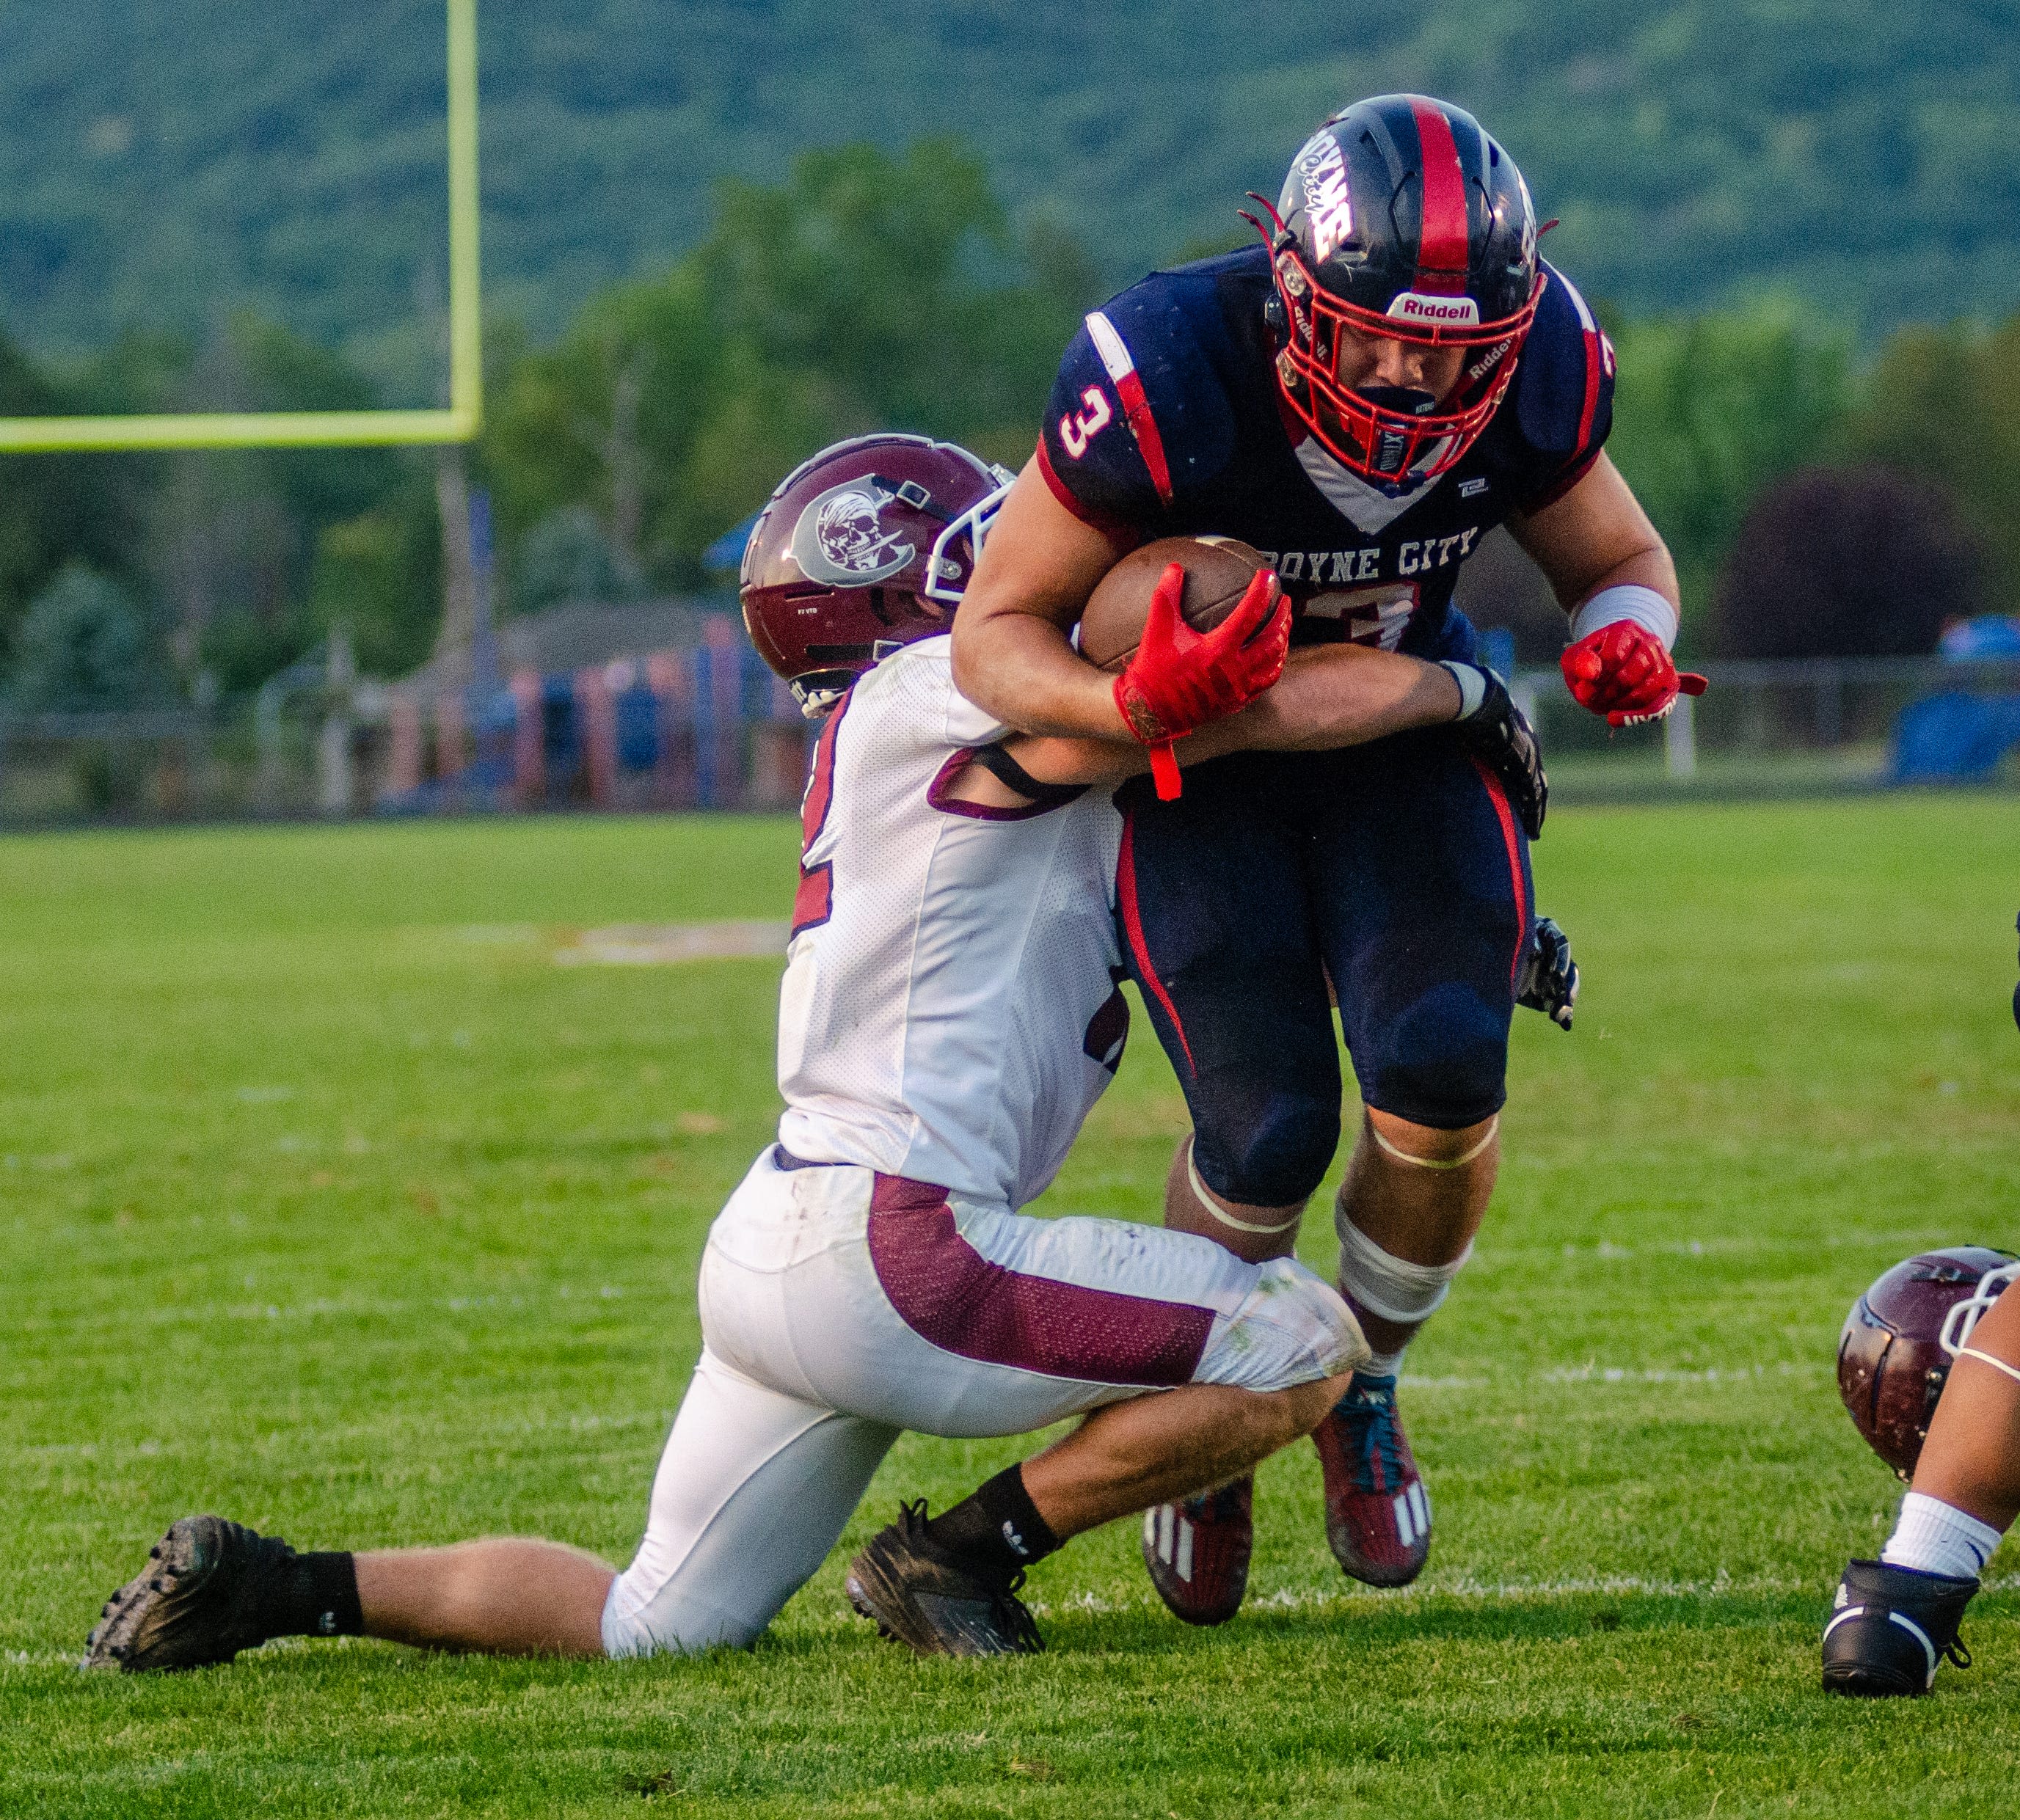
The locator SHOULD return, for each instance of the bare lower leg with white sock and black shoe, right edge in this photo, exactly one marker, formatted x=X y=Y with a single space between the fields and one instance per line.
x=1896 y=1619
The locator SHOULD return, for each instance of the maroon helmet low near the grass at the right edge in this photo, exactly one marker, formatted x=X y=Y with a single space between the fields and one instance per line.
x=1900 y=1338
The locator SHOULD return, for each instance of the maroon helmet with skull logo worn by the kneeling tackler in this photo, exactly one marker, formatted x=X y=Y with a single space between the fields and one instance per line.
x=862 y=550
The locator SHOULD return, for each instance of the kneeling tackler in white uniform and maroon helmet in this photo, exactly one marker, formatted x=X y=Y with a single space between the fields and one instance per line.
x=948 y=1017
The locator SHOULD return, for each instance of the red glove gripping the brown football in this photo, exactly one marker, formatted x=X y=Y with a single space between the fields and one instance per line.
x=1183 y=680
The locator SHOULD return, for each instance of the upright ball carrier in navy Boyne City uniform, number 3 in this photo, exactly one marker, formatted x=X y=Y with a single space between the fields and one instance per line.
x=1362 y=399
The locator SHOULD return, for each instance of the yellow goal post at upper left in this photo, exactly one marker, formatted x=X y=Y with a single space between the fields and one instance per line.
x=332 y=429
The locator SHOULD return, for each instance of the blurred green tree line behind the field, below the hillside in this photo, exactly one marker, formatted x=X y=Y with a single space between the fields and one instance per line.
x=1815 y=506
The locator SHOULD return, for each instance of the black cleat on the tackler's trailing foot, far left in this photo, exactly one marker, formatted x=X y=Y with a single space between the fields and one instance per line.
x=195 y=1601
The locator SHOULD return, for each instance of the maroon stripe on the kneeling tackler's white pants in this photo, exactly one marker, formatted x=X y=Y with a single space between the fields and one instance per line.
x=954 y=1298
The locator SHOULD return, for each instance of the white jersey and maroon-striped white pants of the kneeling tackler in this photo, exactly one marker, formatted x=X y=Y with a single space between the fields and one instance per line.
x=946 y=1021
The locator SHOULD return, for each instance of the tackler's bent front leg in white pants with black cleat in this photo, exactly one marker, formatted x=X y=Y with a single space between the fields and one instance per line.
x=1187 y=1362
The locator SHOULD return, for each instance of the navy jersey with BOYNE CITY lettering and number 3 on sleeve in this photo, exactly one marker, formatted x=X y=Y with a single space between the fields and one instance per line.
x=1165 y=423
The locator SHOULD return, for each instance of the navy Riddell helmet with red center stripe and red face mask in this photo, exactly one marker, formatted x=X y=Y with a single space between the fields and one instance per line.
x=1403 y=221
